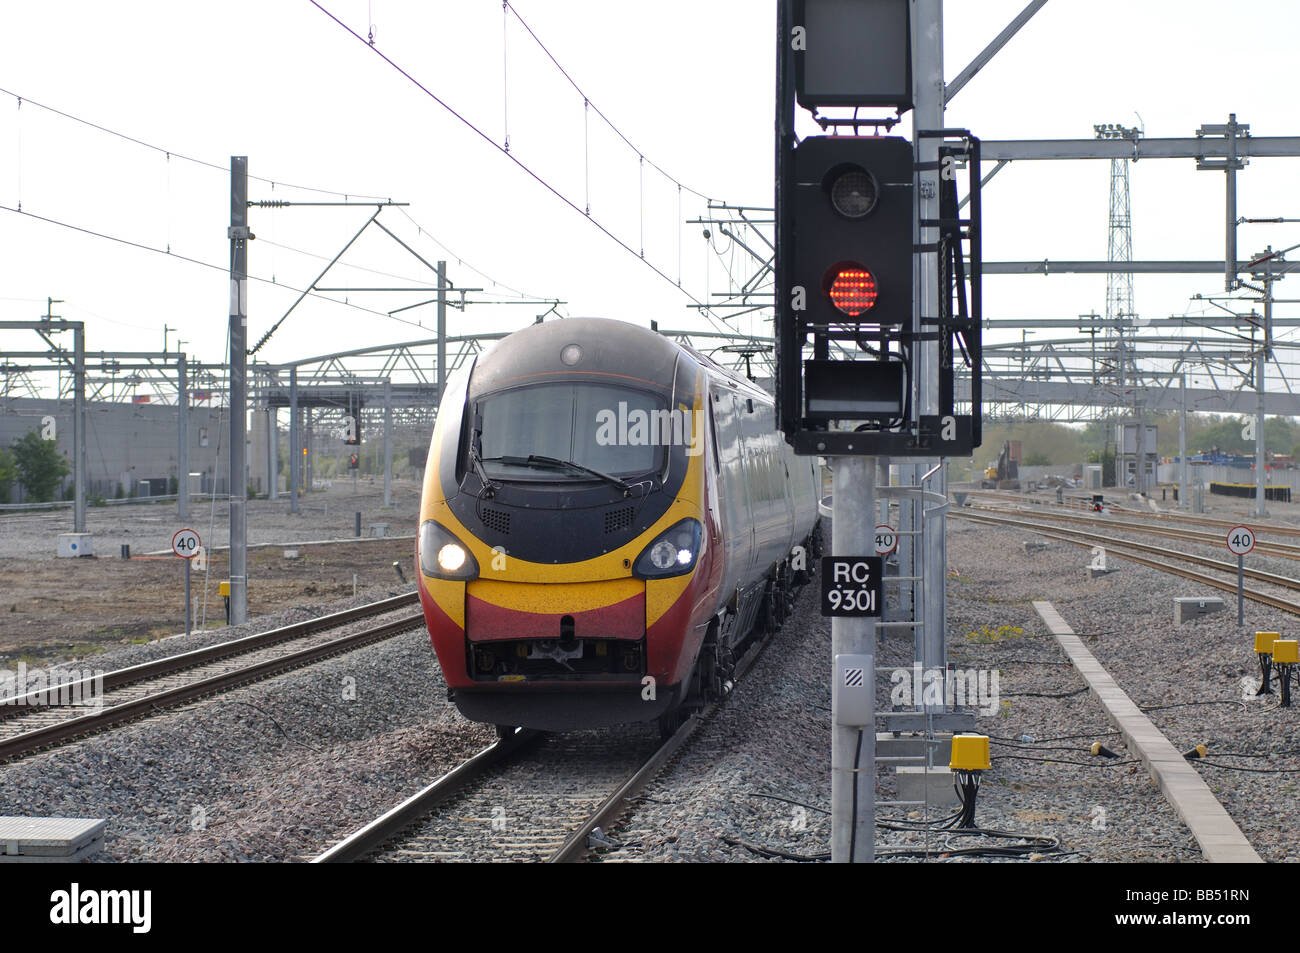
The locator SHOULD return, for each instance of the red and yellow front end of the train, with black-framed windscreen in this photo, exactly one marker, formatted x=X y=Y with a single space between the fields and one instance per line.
x=561 y=594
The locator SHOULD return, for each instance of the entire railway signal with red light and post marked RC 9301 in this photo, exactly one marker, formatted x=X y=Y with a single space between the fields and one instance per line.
x=878 y=297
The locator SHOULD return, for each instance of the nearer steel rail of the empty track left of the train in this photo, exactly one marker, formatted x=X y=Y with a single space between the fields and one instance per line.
x=129 y=712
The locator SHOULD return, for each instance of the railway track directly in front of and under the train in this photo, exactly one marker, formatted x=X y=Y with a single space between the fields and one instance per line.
x=530 y=796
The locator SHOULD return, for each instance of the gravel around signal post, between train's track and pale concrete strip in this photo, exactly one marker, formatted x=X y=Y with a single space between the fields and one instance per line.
x=772 y=742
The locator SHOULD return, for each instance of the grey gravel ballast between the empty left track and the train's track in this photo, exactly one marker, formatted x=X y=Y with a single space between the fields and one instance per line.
x=276 y=772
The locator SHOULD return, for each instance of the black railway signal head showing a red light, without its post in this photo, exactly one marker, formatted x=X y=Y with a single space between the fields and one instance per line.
x=852 y=378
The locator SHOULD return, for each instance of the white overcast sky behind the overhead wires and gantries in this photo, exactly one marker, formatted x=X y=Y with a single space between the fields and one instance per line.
x=690 y=84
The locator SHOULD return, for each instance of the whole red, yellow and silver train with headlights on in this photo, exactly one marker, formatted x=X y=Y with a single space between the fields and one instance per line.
x=608 y=518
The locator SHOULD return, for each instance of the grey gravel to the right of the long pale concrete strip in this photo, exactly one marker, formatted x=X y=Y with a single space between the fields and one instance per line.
x=1207 y=669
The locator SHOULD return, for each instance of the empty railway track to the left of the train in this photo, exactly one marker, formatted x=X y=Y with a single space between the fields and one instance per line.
x=31 y=722
